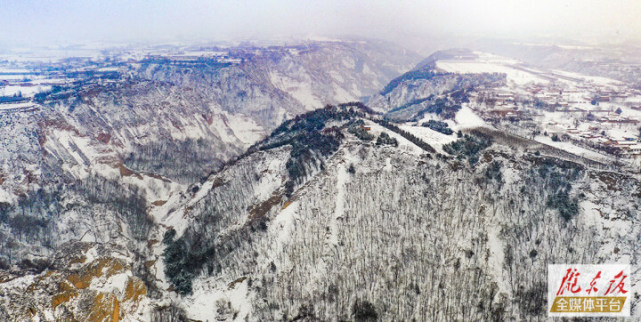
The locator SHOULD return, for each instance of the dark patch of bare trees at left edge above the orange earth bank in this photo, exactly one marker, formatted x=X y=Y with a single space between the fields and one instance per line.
x=92 y=209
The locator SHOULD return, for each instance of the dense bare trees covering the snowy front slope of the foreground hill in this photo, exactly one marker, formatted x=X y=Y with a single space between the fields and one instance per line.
x=424 y=240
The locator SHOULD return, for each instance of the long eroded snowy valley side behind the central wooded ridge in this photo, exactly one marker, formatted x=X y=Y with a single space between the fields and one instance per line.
x=156 y=125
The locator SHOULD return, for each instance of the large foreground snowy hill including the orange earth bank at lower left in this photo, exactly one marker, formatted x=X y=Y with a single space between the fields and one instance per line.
x=341 y=215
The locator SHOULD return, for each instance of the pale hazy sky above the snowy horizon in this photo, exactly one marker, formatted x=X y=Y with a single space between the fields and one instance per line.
x=24 y=22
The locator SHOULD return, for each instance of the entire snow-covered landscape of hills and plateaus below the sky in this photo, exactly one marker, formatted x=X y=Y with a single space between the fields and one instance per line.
x=322 y=181
